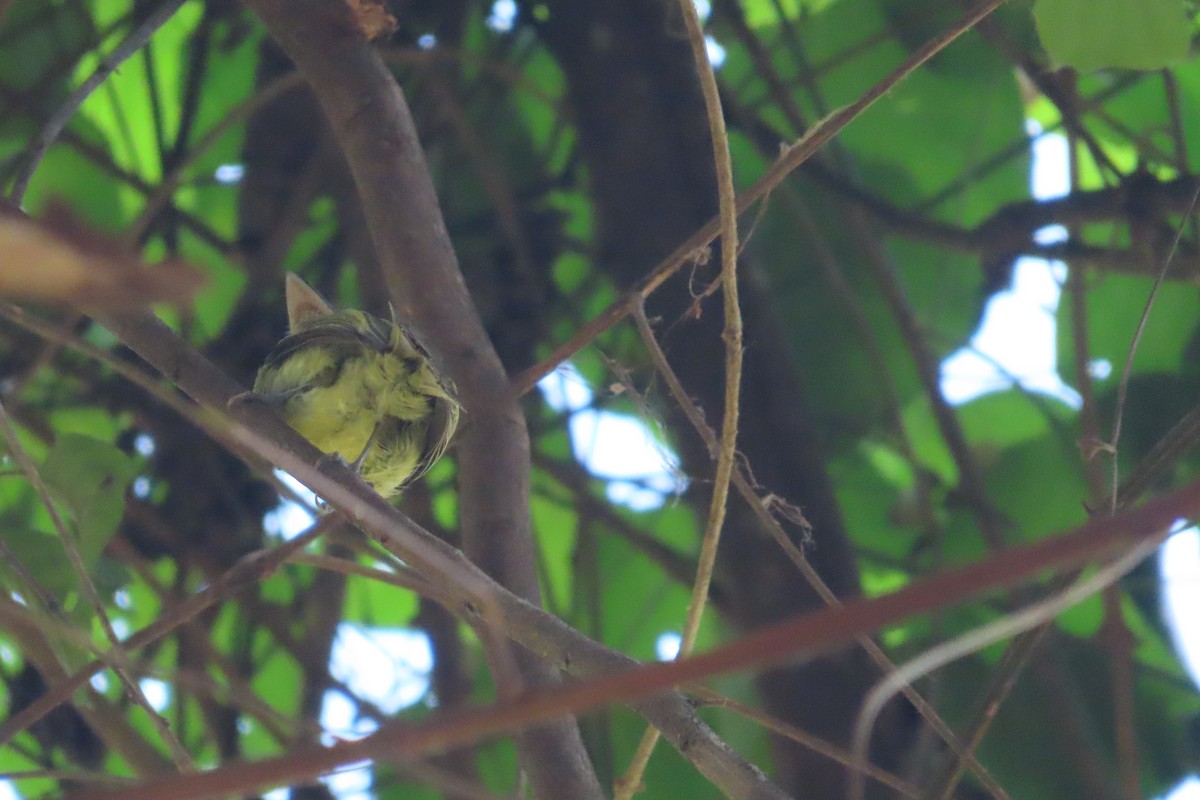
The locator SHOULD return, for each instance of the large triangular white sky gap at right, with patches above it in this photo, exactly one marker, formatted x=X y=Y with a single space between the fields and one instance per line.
x=1016 y=344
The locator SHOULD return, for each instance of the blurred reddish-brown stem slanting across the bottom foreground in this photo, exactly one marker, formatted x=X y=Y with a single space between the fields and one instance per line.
x=797 y=639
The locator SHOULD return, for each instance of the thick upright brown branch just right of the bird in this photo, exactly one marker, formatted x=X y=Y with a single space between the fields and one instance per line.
x=375 y=130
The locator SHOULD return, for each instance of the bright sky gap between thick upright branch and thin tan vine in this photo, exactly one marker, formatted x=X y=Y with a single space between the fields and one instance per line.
x=641 y=472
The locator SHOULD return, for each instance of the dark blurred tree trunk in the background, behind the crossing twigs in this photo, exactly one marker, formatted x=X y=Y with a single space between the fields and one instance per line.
x=641 y=121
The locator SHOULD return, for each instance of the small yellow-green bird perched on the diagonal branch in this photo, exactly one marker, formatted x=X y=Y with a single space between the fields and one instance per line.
x=358 y=388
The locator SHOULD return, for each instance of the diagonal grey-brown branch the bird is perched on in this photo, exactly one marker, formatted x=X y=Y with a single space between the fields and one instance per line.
x=457 y=581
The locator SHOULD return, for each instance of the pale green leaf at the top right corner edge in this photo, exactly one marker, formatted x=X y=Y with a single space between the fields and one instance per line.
x=1124 y=34
